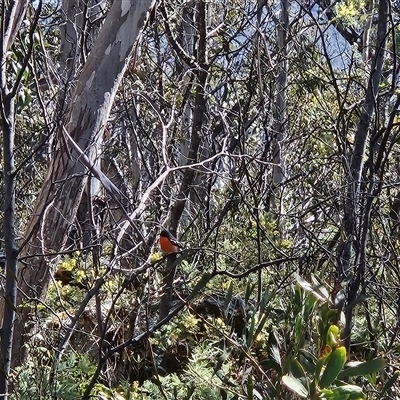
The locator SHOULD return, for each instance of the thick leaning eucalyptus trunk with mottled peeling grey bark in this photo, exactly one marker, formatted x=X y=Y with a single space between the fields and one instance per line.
x=61 y=193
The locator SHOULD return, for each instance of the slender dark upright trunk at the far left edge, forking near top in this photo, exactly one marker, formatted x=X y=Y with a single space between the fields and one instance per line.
x=11 y=20
